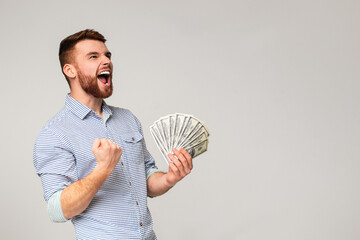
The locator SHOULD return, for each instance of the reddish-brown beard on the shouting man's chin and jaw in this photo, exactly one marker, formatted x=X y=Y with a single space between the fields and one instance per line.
x=90 y=85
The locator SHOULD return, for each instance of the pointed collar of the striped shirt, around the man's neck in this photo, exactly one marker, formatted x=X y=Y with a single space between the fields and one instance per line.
x=81 y=110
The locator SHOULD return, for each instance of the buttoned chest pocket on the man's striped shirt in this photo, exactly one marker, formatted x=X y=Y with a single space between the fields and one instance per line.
x=133 y=146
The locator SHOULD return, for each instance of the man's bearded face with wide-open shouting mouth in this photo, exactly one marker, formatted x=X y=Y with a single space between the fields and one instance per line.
x=94 y=68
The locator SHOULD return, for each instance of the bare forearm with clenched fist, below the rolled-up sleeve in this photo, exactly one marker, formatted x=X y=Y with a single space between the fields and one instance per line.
x=76 y=197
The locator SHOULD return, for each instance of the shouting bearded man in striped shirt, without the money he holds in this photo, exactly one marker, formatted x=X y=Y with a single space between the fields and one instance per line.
x=91 y=157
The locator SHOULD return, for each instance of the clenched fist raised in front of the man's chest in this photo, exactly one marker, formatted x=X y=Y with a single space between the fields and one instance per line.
x=107 y=153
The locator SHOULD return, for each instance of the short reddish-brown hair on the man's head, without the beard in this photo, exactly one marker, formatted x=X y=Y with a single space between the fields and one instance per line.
x=68 y=44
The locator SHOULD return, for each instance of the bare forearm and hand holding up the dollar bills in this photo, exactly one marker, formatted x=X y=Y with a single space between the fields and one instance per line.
x=179 y=166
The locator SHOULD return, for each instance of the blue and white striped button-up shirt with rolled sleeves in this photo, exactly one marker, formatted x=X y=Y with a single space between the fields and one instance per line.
x=62 y=155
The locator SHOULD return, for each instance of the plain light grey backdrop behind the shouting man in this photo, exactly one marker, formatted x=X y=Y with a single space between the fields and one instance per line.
x=276 y=82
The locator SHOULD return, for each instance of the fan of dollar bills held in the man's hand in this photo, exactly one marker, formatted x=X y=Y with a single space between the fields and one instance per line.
x=180 y=131
